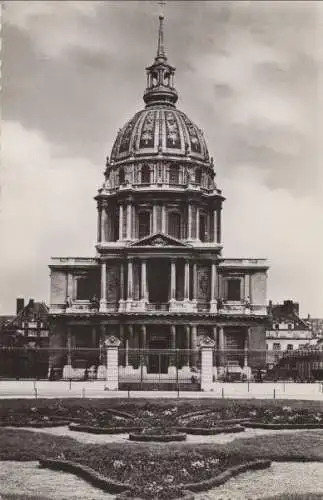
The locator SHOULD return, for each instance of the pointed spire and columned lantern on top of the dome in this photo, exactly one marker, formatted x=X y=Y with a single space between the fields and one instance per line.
x=160 y=75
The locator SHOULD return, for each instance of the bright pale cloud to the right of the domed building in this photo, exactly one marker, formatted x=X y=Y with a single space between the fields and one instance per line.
x=273 y=223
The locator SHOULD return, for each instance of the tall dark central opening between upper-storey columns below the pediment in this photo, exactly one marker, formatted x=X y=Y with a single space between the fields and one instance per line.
x=158 y=281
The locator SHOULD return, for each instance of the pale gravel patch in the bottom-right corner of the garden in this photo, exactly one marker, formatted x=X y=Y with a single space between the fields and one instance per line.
x=280 y=478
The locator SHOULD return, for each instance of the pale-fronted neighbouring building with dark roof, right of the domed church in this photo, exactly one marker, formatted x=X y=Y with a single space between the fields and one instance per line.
x=286 y=332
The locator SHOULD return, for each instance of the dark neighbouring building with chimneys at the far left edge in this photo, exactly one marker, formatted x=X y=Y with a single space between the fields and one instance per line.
x=25 y=341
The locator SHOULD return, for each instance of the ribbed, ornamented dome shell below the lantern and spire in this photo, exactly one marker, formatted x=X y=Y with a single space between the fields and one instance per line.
x=160 y=130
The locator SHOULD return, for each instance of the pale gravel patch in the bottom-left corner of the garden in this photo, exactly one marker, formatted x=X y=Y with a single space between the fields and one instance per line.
x=27 y=478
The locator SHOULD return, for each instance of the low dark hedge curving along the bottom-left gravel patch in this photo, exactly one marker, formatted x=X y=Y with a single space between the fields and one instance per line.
x=85 y=473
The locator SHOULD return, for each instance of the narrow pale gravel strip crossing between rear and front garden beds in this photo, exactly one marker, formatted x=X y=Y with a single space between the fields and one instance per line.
x=88 y=438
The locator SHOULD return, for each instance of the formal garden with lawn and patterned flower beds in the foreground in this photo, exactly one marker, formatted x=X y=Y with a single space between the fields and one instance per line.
x=153 y=470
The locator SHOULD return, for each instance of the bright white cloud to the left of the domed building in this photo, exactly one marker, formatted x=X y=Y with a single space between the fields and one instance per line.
x=47 y=209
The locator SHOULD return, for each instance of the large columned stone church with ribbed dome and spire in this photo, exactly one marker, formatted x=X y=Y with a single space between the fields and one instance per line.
x=158 y=282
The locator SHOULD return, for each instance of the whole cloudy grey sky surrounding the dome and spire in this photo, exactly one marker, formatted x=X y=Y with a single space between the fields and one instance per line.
x=250 y=74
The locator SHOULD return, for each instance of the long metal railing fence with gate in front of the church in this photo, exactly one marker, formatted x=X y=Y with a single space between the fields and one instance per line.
x=152 y=368
